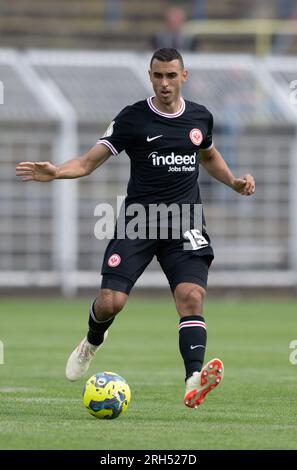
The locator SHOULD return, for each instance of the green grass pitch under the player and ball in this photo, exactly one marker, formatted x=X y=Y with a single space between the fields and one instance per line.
x=255 y=407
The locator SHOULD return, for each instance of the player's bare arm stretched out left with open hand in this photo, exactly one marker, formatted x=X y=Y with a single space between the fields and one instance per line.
x=75 y=168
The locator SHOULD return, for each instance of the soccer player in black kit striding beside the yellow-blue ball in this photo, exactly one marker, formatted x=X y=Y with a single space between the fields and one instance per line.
x=165 y=138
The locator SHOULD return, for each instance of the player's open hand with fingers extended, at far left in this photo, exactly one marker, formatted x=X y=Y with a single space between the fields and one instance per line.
x=36 y=171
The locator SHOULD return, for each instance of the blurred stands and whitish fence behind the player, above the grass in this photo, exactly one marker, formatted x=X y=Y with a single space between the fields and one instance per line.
x=68 y=67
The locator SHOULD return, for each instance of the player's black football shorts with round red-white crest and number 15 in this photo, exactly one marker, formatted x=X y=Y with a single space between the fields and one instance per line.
x=126 y=259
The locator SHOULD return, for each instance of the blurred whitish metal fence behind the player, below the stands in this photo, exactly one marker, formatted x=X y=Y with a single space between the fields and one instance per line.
x=57 y=104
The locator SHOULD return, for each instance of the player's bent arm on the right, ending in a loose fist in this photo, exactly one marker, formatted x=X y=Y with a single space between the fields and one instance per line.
x=216 y=166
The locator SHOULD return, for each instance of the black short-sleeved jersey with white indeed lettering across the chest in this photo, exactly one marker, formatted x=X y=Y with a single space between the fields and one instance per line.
x=163 y=150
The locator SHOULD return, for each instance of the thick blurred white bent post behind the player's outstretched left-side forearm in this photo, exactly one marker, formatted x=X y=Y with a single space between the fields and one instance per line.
x=65 y=146
